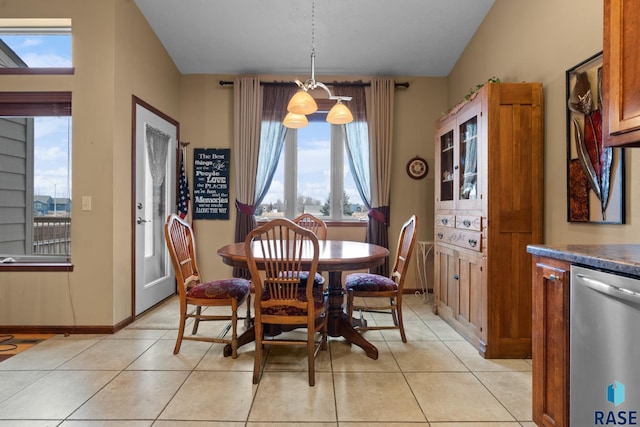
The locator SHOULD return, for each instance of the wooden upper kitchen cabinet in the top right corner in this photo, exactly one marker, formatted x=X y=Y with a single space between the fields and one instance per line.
x=621 y=73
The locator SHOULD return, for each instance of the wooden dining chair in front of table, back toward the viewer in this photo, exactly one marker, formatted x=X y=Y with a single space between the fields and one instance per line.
x=280 y=299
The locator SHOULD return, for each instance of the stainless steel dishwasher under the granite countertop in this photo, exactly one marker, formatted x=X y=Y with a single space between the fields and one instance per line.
x=604 y=372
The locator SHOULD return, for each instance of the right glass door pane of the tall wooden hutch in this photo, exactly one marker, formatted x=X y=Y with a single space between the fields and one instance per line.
x=468 y=169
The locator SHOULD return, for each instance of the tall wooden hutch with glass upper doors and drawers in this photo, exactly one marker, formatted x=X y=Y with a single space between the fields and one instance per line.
x=489 y=195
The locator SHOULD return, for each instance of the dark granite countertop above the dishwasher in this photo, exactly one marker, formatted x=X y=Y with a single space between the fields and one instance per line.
x=624 y=259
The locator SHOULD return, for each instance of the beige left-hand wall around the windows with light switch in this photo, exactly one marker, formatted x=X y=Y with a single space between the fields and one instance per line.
x=115 y=55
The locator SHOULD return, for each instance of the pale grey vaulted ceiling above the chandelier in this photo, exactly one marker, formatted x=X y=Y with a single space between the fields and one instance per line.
x=351 y=37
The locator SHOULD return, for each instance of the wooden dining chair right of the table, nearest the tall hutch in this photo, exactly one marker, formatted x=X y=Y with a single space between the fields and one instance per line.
x=367 y=285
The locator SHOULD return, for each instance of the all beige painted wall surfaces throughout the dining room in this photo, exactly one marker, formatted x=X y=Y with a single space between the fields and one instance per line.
x=116 y=56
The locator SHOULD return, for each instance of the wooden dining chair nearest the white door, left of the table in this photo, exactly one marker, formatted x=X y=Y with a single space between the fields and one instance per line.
x=195 y=294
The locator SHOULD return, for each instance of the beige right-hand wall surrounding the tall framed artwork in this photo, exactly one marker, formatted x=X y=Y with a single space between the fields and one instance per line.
x=523 y=40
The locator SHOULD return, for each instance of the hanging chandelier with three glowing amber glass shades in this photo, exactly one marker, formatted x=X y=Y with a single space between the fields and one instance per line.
x=302 y=103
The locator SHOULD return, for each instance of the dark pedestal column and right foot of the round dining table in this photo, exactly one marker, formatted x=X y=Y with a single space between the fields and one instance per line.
x=339 y=323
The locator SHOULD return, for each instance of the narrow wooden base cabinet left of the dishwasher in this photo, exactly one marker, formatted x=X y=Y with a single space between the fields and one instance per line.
x=550 y=342
